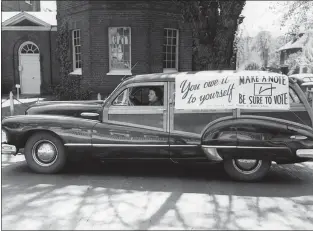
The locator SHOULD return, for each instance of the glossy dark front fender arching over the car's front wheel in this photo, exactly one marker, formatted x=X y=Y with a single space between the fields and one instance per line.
x=68 y=129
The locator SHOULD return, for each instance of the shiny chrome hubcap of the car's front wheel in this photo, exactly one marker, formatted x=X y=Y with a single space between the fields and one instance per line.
x=44 y=153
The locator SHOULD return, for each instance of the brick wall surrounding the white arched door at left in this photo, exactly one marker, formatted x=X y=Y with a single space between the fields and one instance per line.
x=11 y=42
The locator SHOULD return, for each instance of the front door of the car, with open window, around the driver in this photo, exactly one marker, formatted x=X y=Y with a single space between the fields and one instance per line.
x=131 y=128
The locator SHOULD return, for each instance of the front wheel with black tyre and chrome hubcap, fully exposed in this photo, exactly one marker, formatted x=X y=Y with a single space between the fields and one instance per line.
x=45 y=153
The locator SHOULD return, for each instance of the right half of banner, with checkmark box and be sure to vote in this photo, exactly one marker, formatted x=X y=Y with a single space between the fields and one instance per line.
x=263 y=92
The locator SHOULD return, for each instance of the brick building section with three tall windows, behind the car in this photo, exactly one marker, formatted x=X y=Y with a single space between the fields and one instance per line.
x=111 y=39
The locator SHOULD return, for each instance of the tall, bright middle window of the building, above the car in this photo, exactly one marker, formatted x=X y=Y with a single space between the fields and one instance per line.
x=120 y=50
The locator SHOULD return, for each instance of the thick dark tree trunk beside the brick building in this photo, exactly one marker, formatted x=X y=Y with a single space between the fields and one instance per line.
x=215 y=34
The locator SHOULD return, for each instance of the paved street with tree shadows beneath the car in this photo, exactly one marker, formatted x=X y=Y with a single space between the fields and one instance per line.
x=159 y=196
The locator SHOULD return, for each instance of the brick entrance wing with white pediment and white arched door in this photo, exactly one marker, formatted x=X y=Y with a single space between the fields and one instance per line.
x=28 y=52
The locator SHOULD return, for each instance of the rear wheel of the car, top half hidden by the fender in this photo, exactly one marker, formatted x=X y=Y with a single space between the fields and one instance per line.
x=247 y=170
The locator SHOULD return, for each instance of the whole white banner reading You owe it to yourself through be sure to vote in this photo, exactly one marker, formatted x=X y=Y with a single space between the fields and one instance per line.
x=205 y=90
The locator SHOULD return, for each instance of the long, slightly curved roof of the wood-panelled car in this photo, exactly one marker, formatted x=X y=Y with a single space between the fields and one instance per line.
x=162 y=77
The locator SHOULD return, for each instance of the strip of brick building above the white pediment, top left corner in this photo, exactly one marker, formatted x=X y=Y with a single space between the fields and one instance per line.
x=19 y=5
